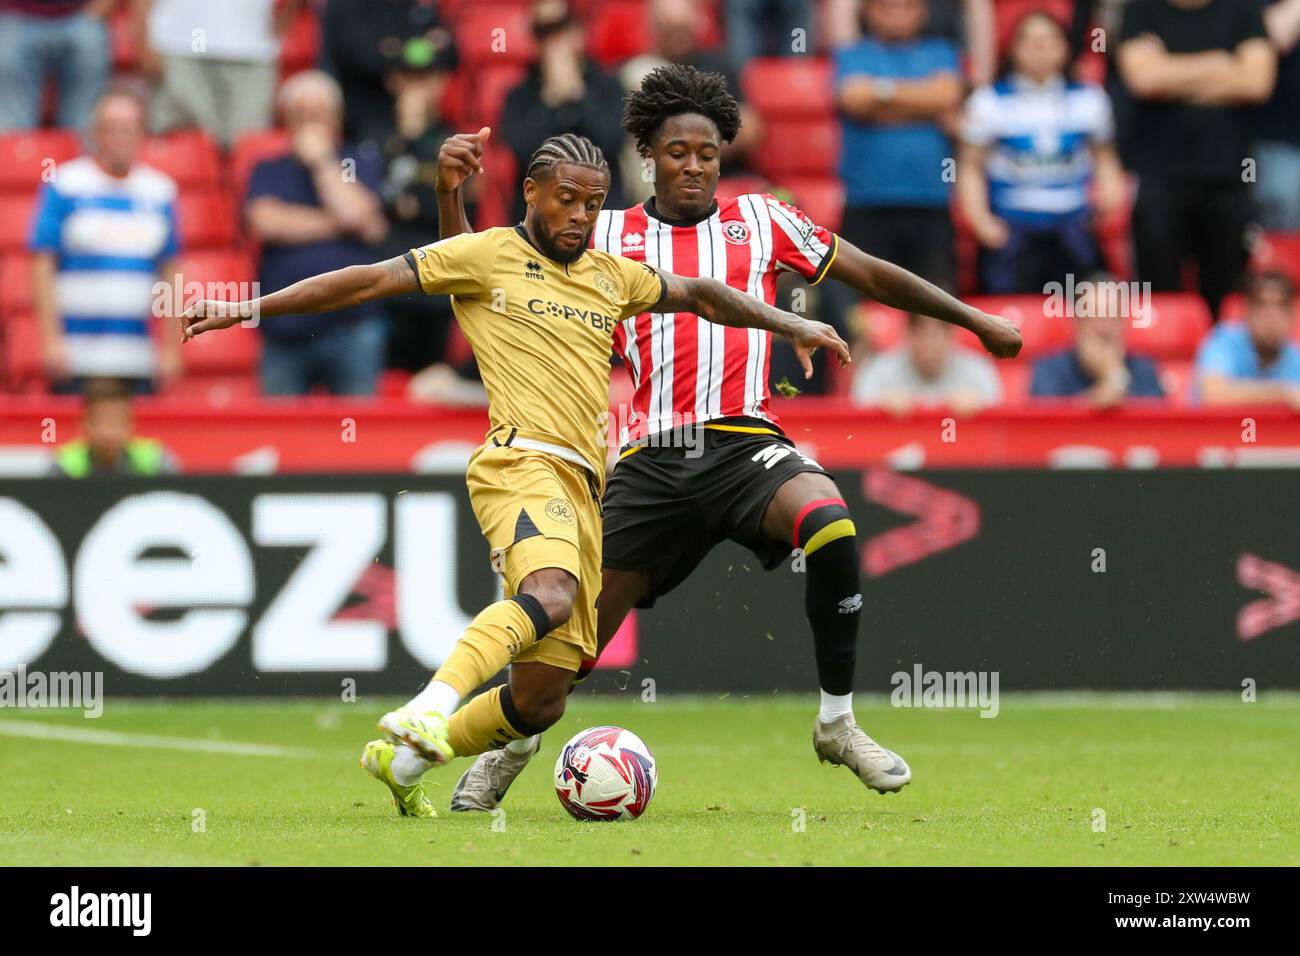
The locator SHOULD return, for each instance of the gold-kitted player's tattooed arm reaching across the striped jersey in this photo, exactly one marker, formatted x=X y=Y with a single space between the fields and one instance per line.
x=726 y=306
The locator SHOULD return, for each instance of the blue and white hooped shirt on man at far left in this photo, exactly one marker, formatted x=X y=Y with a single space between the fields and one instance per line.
x=111 y=236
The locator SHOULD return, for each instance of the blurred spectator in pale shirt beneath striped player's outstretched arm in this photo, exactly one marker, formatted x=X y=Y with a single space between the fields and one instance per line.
x=929 y=371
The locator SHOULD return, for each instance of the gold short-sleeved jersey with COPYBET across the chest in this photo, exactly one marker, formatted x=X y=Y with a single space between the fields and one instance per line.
x=541 y=331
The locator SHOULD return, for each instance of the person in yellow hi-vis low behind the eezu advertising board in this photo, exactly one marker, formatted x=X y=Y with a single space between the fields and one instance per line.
x=109 y=444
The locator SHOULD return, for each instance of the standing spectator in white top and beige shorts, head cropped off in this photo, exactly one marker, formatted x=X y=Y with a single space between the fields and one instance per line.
x=218 y=63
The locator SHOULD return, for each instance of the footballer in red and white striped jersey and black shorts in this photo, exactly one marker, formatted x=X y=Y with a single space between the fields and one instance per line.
x=705 y=460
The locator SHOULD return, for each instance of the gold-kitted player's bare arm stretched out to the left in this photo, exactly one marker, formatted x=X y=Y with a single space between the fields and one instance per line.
x=326 y=293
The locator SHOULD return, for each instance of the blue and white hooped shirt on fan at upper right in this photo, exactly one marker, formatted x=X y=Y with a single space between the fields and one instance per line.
x=1039 y=142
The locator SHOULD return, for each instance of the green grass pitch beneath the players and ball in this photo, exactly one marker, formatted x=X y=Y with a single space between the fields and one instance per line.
x=1181 y=780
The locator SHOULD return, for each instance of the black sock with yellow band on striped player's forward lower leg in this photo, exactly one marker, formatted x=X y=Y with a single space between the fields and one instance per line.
x=826 y=535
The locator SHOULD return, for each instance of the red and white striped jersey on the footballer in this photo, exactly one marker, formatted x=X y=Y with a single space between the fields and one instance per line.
x=686 y=369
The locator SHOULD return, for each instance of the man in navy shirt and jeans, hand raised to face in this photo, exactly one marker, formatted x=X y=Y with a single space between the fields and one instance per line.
x=318 y=210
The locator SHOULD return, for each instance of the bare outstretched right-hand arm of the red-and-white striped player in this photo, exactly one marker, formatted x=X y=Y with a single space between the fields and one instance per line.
x=895 y=287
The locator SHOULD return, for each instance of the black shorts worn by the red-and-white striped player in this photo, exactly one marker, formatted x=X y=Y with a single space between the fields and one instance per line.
x=666 y=508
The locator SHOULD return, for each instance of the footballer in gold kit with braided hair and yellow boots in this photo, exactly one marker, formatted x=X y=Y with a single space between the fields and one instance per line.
x=539 y=309
